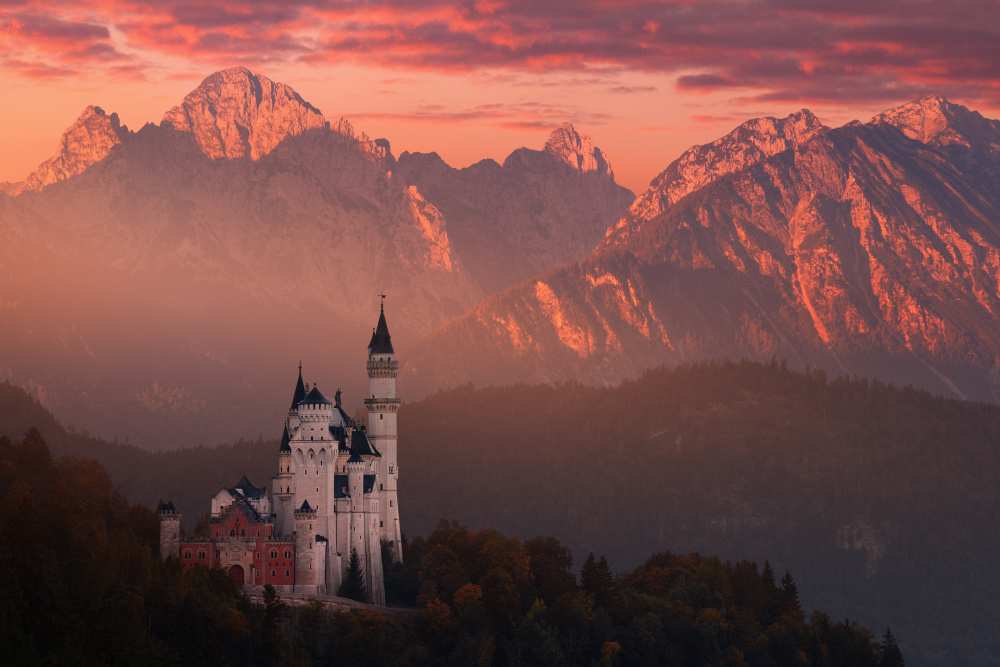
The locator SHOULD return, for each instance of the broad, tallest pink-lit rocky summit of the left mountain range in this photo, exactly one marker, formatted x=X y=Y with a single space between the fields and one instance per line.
x=236 y=113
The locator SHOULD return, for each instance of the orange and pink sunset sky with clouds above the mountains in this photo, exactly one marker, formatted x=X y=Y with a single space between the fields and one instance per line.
x=479 y=78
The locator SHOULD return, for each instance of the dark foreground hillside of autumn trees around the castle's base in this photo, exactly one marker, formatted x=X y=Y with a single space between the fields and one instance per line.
x=88 y=588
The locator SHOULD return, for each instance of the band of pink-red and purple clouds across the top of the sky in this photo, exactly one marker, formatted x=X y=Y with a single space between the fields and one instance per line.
x=827 y=50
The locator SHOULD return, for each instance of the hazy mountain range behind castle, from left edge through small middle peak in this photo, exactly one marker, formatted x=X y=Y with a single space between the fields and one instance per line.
x=163 y=284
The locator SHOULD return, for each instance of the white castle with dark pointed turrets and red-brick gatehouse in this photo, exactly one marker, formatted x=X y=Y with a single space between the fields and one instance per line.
x=335 y=495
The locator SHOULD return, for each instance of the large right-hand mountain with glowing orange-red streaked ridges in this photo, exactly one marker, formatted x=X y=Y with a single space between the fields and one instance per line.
x=866 y=249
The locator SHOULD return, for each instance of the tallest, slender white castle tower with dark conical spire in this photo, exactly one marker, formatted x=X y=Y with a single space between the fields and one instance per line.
x=382 y=407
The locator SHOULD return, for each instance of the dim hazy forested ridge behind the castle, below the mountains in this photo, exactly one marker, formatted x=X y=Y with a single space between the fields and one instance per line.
x=883 y=500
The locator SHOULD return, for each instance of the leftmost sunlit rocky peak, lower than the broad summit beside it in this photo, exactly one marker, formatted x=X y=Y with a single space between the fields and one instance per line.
x=88 y=140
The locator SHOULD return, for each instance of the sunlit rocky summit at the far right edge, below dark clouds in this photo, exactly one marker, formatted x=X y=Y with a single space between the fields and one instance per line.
x=936 y=121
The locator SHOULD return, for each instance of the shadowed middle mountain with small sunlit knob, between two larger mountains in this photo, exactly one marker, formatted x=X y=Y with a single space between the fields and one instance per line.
x=537 y=210
